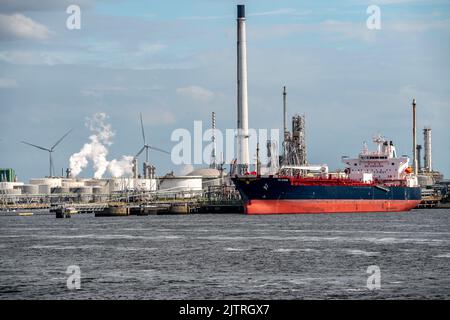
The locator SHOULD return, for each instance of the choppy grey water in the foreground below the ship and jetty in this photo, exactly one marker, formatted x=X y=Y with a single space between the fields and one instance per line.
x=227 y=256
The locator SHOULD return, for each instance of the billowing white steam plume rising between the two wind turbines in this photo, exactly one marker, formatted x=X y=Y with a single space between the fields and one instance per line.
x=96 y=151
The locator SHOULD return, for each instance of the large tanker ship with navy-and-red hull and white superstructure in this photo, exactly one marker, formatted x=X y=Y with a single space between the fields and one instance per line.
x=374 y=182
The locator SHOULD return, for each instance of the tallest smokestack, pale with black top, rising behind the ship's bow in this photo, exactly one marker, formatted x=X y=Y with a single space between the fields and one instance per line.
x=242 y=99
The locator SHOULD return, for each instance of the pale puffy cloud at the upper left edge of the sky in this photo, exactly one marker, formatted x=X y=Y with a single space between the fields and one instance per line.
x=18 y=26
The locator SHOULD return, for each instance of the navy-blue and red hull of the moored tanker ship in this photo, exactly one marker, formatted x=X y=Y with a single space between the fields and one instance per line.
x=269 y=195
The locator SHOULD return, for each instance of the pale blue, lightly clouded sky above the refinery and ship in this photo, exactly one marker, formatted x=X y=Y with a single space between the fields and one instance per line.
x=175 y=62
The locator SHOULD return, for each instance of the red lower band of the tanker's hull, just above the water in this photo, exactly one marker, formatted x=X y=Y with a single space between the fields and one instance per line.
x=327 y=206
